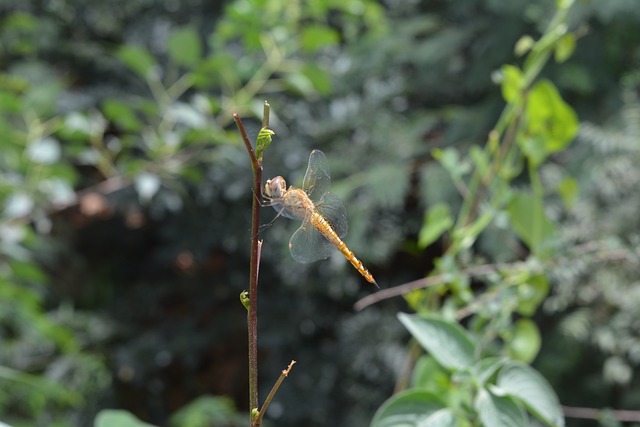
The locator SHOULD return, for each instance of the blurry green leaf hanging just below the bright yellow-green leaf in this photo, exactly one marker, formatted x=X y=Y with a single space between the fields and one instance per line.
x=530 y=222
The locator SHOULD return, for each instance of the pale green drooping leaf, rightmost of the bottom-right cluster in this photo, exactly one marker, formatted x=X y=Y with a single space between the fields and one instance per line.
x=527 y=385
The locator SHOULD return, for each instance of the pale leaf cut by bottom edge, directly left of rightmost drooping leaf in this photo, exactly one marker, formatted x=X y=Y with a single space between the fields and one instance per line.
x=499 y=411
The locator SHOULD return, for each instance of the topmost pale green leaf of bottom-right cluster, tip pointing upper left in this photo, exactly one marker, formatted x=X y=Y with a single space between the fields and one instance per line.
x=446 y=341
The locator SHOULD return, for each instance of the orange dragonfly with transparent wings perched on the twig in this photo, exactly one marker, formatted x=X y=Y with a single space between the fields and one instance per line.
x=324 y=218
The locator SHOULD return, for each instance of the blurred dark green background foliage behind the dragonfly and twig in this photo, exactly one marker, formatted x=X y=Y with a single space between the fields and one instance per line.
x=125 y=197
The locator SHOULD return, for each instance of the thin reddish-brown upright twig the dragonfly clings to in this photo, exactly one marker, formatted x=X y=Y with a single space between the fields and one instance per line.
x=252 y=316
